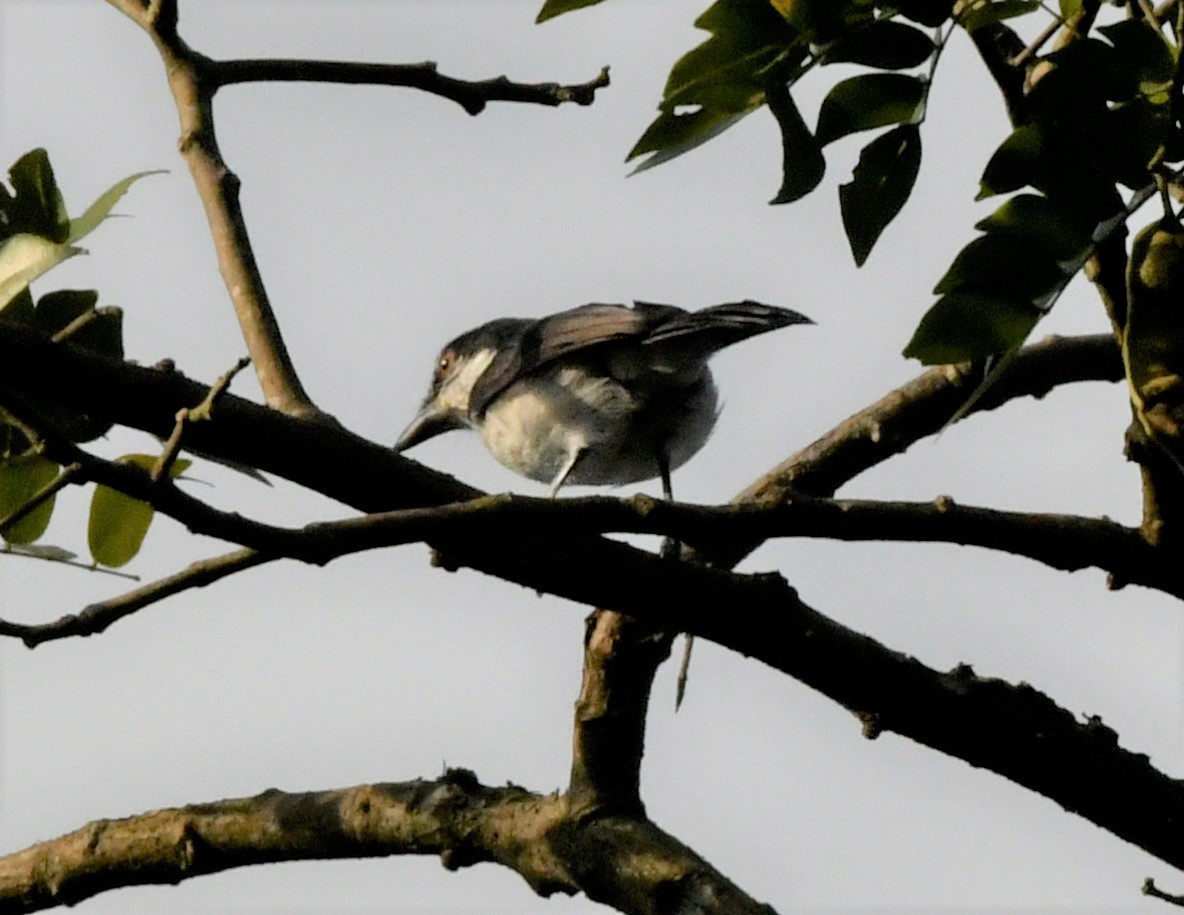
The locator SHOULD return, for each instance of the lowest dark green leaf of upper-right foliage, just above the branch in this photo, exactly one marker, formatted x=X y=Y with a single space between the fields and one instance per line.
x=969 y=324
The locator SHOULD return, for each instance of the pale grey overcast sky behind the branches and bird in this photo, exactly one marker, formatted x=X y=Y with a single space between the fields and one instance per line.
x=388 y=222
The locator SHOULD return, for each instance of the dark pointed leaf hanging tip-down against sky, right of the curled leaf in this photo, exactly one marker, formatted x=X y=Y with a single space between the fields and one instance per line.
x=881 y=184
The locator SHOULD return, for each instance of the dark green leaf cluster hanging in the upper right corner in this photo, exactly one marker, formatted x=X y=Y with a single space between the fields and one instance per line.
x=1098 y=115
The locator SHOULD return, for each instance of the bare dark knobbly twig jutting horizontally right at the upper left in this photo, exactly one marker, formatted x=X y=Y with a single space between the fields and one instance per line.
x=472 y=95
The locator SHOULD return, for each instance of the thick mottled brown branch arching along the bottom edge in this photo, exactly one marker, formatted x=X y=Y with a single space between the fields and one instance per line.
x=627 y=864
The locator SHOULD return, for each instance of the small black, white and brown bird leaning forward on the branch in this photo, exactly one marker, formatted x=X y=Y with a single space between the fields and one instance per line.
x=596 y=396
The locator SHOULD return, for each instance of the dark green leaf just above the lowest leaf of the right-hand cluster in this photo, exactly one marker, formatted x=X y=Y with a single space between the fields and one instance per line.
x=1006 y=266
